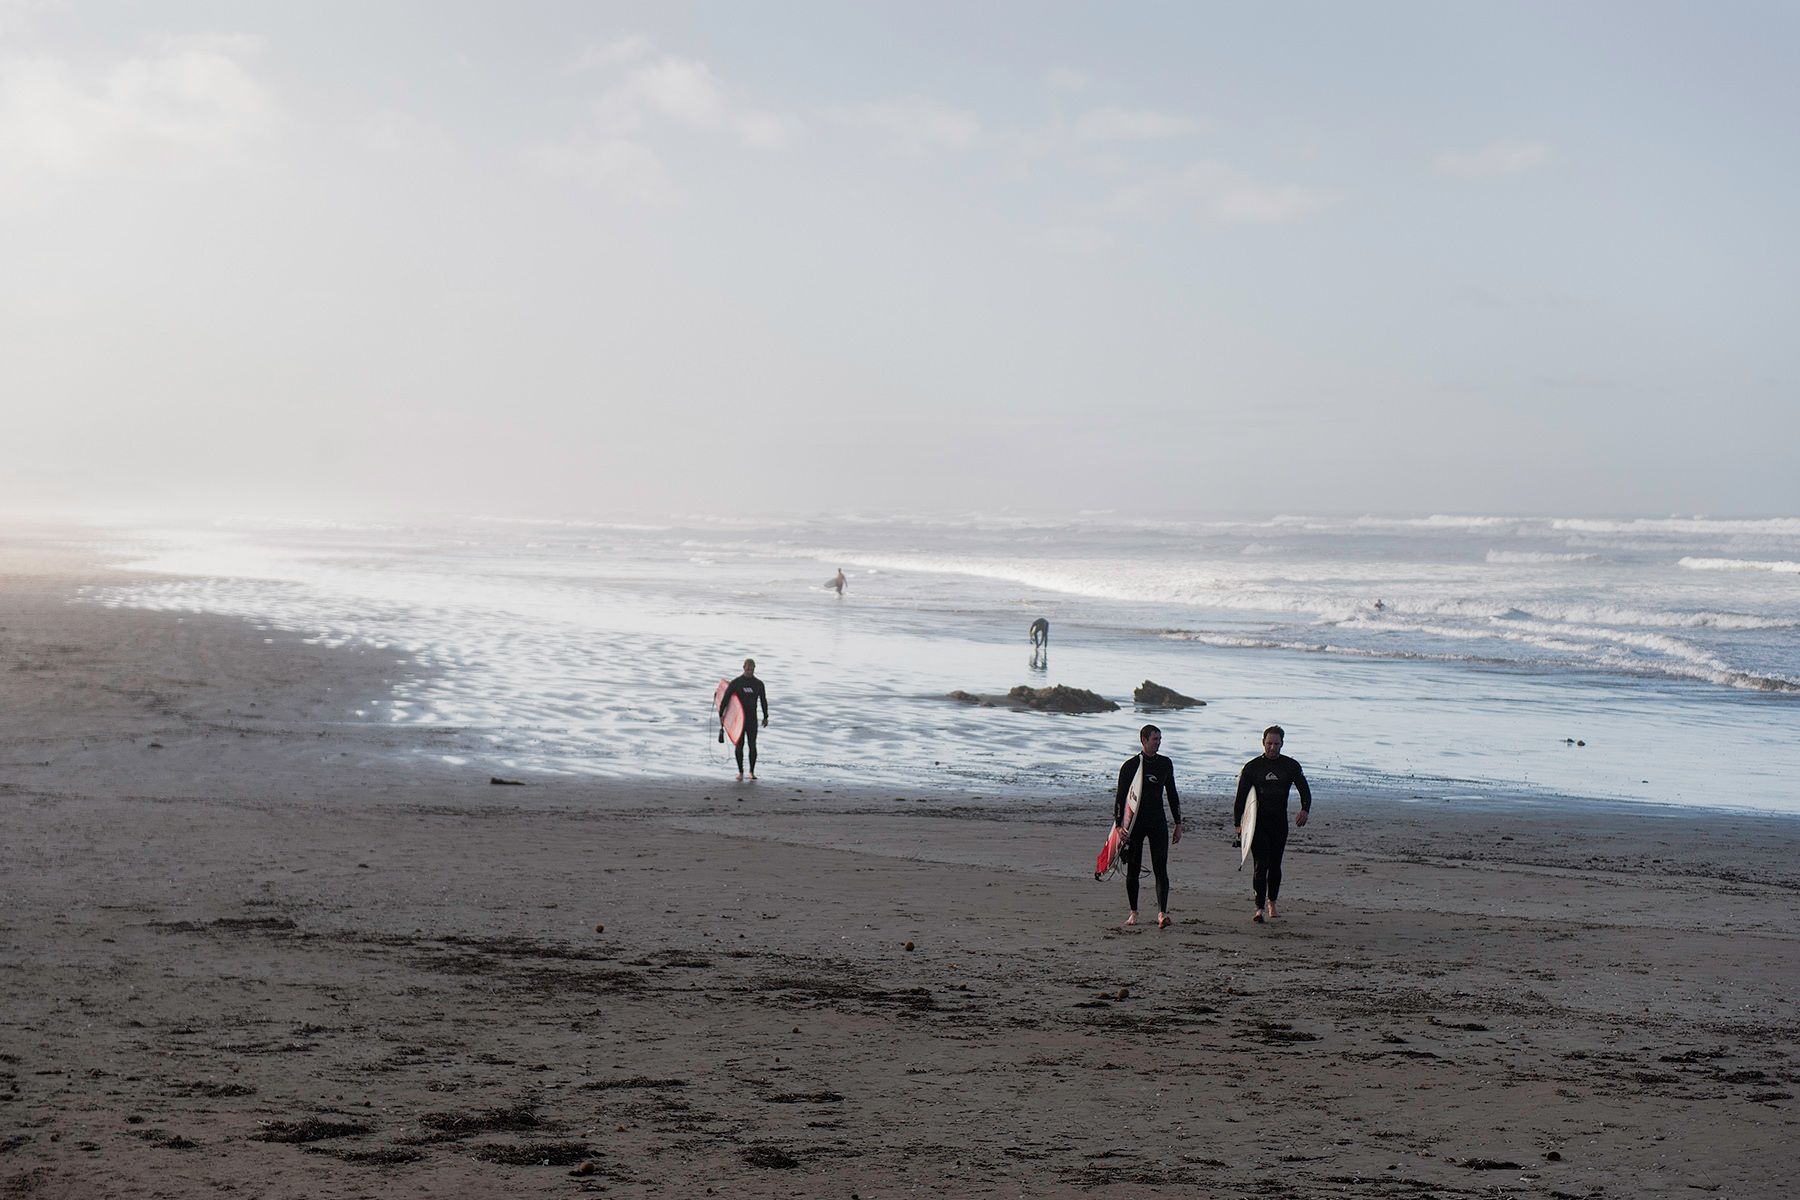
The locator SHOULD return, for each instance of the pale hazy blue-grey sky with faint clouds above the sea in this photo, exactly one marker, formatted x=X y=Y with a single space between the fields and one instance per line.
x=584 y=258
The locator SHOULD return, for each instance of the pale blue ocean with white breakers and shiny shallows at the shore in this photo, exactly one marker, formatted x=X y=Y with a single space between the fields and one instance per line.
x=1439 y=658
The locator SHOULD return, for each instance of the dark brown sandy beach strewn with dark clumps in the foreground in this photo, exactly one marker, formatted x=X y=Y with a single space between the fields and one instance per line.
x=287 y=954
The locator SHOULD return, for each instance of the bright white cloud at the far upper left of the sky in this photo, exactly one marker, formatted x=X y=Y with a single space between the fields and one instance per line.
x=190 y=98
